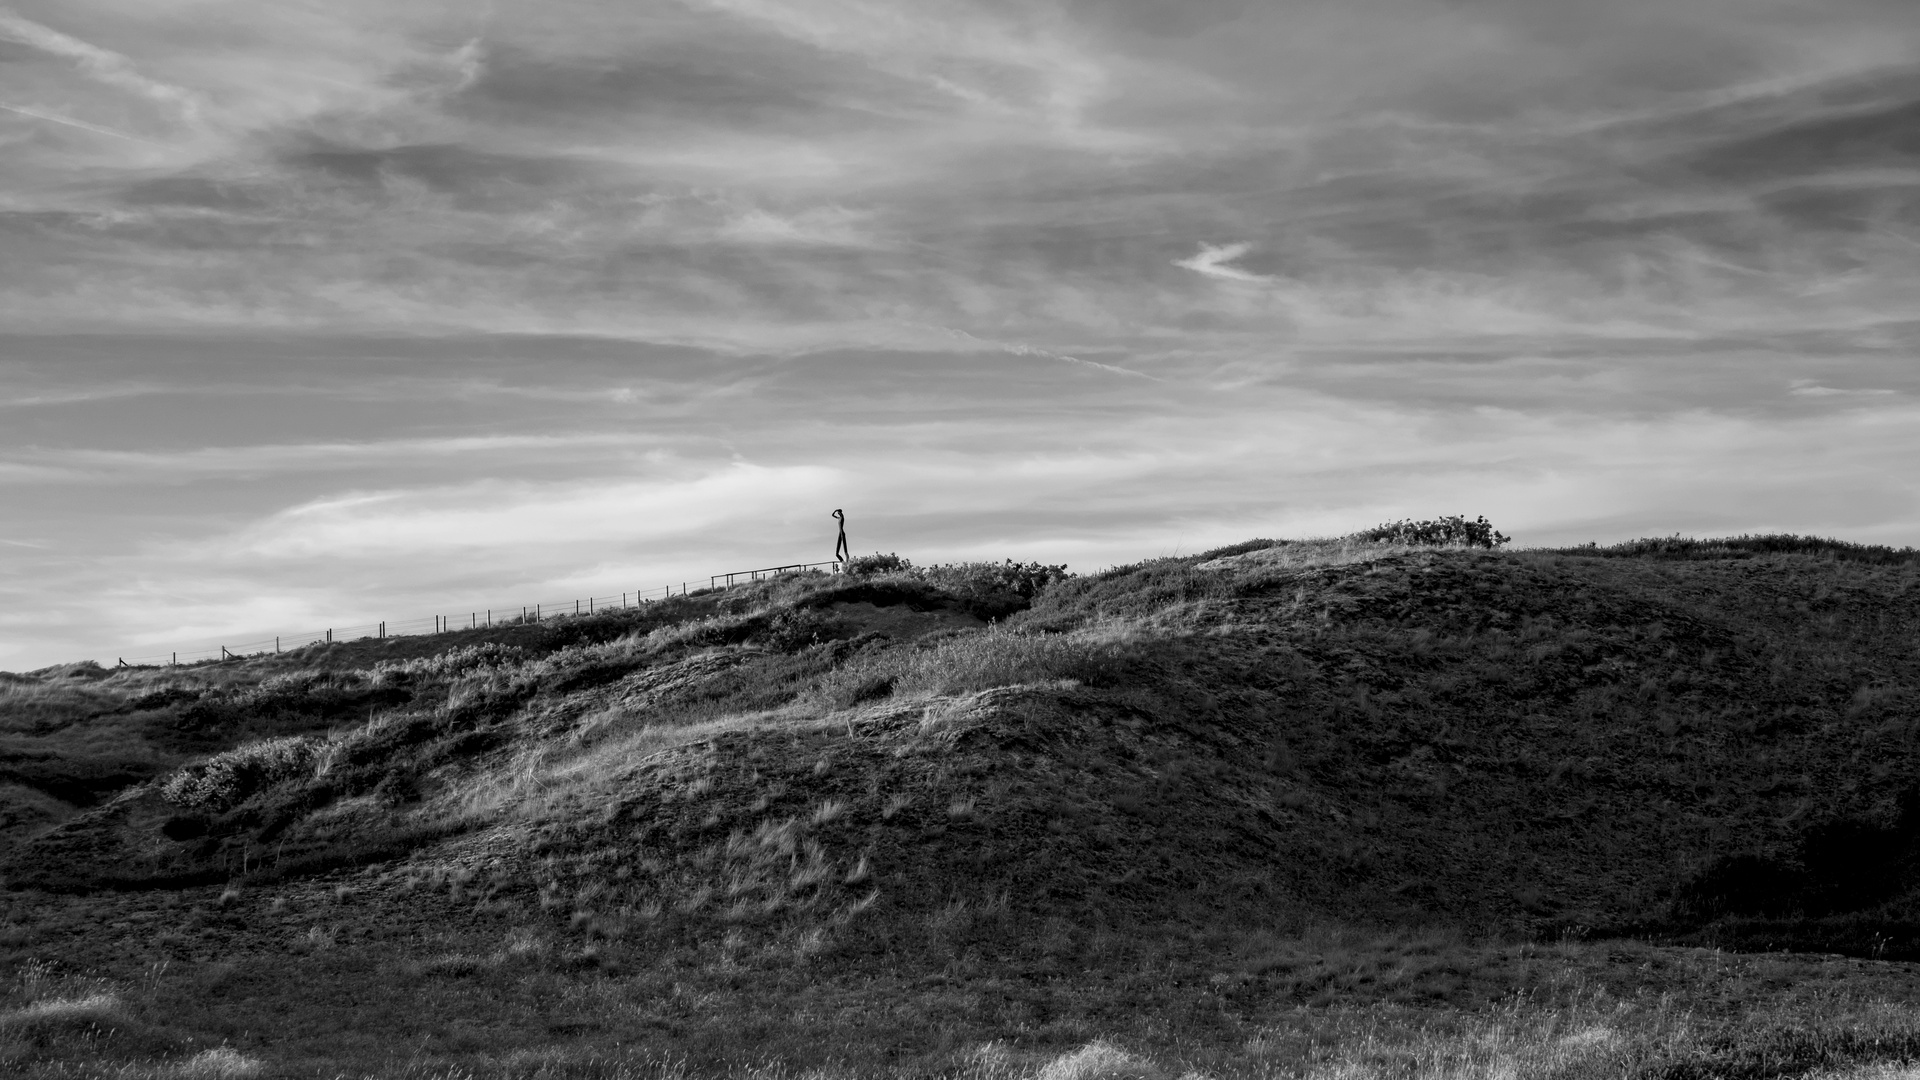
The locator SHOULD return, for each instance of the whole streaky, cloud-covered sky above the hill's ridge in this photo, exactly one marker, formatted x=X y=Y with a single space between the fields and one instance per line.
x=329 y=312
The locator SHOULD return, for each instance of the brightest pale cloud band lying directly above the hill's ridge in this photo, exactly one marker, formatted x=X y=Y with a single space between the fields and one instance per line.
x=938 y=487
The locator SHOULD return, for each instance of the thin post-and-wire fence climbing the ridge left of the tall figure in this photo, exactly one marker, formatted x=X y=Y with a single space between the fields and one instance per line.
x=456 y=622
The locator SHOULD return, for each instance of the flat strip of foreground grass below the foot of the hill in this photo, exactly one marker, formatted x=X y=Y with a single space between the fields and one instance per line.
x=316 y=989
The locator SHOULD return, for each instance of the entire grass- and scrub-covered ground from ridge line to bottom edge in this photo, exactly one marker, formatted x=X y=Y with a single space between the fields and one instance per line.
x=1399 y=804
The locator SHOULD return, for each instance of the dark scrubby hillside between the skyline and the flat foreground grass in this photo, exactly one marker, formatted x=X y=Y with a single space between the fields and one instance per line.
x=996 y=766
